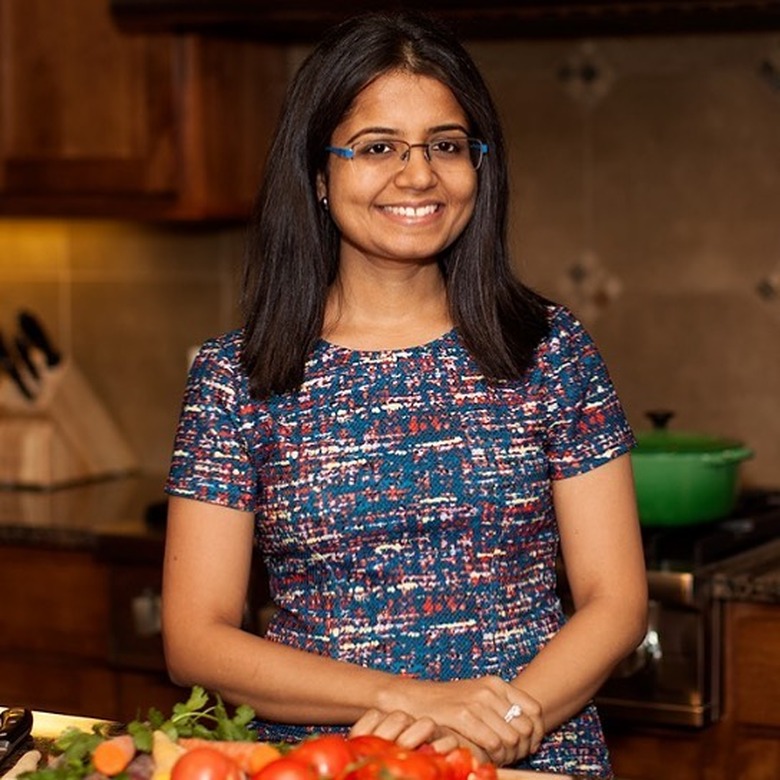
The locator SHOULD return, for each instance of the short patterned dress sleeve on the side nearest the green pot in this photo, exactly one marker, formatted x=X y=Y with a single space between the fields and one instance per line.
x=586 y=423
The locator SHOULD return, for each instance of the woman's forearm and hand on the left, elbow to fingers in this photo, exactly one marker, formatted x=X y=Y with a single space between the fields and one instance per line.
x=292 y=686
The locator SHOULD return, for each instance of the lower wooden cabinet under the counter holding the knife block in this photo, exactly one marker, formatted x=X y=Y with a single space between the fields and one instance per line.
x=58 y=638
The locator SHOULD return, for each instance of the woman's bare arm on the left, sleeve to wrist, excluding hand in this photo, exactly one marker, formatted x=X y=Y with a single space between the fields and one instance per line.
x=206 y=573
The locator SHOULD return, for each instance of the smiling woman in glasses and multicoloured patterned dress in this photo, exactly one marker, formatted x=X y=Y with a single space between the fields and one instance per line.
x=407 y=434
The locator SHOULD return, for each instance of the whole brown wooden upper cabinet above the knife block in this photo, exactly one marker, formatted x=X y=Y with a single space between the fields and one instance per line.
x=97 y=122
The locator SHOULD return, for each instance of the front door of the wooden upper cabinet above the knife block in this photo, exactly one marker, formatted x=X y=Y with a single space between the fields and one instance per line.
x=86 y=112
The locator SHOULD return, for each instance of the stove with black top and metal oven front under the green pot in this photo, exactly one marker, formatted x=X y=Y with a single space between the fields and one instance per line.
x=674 y=676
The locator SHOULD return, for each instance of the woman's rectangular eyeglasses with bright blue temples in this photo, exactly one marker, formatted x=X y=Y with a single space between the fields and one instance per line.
x=390 y=154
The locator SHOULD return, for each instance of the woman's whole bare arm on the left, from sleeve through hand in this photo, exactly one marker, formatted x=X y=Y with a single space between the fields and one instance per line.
x=206 y=573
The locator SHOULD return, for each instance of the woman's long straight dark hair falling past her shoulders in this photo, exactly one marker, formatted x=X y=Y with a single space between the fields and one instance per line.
x=293 y=246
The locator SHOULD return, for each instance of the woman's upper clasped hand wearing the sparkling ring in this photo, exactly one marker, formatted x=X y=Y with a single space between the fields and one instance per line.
x=476 y=711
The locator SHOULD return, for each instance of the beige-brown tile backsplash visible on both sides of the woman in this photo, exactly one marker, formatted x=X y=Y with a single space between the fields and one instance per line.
x=646 y=178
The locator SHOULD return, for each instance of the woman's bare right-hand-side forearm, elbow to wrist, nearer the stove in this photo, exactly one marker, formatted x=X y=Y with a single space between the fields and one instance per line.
x=570 y=669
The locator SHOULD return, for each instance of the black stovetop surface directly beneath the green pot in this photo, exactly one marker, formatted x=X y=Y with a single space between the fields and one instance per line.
x=755 y=520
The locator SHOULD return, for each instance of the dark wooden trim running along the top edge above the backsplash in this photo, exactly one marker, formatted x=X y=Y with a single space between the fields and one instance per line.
x=305 y=19
